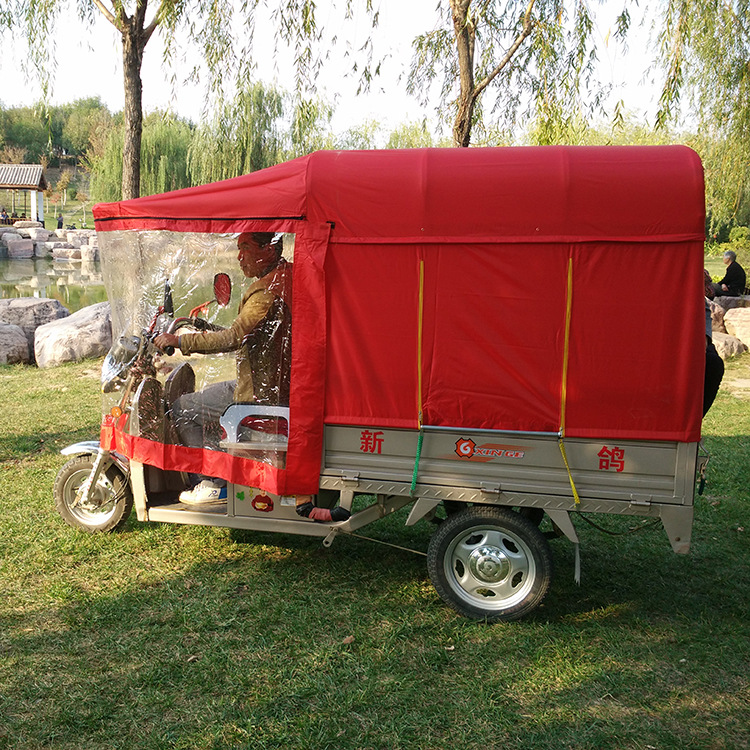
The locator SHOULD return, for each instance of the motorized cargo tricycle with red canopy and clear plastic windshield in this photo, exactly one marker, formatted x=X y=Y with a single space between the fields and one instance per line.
x=469 y=337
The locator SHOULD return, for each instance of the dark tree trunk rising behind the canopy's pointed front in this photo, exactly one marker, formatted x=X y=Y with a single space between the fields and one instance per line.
x=133 y=43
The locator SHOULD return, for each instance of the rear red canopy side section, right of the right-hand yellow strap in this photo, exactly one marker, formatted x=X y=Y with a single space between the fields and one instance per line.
x=636 y=349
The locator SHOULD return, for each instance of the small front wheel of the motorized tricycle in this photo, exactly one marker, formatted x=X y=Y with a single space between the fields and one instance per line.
x=111 y=500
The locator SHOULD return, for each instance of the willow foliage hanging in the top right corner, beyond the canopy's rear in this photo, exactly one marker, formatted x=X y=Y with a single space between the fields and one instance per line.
x=705 y=54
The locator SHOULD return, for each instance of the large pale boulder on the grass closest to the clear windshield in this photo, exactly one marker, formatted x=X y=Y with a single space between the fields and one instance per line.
x=83 y=335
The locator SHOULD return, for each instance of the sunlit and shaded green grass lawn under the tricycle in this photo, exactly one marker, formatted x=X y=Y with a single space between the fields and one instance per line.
x=198 y=638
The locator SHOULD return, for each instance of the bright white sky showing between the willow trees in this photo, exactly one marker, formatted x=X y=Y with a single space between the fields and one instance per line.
x=89 y=64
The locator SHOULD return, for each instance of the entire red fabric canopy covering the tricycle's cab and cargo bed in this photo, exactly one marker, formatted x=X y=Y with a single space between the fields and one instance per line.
x=536 y=289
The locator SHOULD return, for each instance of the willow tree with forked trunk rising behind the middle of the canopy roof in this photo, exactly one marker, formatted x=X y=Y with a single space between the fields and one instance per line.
x=531 y=56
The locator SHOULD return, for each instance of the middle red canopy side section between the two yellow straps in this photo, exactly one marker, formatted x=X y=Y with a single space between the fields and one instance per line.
x=493 y=336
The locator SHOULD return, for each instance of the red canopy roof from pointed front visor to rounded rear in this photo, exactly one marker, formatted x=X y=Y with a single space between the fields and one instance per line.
x=534 y=194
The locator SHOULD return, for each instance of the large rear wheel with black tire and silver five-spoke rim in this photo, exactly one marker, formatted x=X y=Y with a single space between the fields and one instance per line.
x=490 y=563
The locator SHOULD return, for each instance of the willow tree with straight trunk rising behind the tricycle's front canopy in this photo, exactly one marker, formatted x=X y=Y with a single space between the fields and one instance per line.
x=207 y=25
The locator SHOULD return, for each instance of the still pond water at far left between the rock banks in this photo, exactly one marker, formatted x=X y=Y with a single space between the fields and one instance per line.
x=75 y=284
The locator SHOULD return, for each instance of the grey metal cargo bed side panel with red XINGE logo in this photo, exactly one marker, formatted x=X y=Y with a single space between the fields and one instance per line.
x=522 y=469
